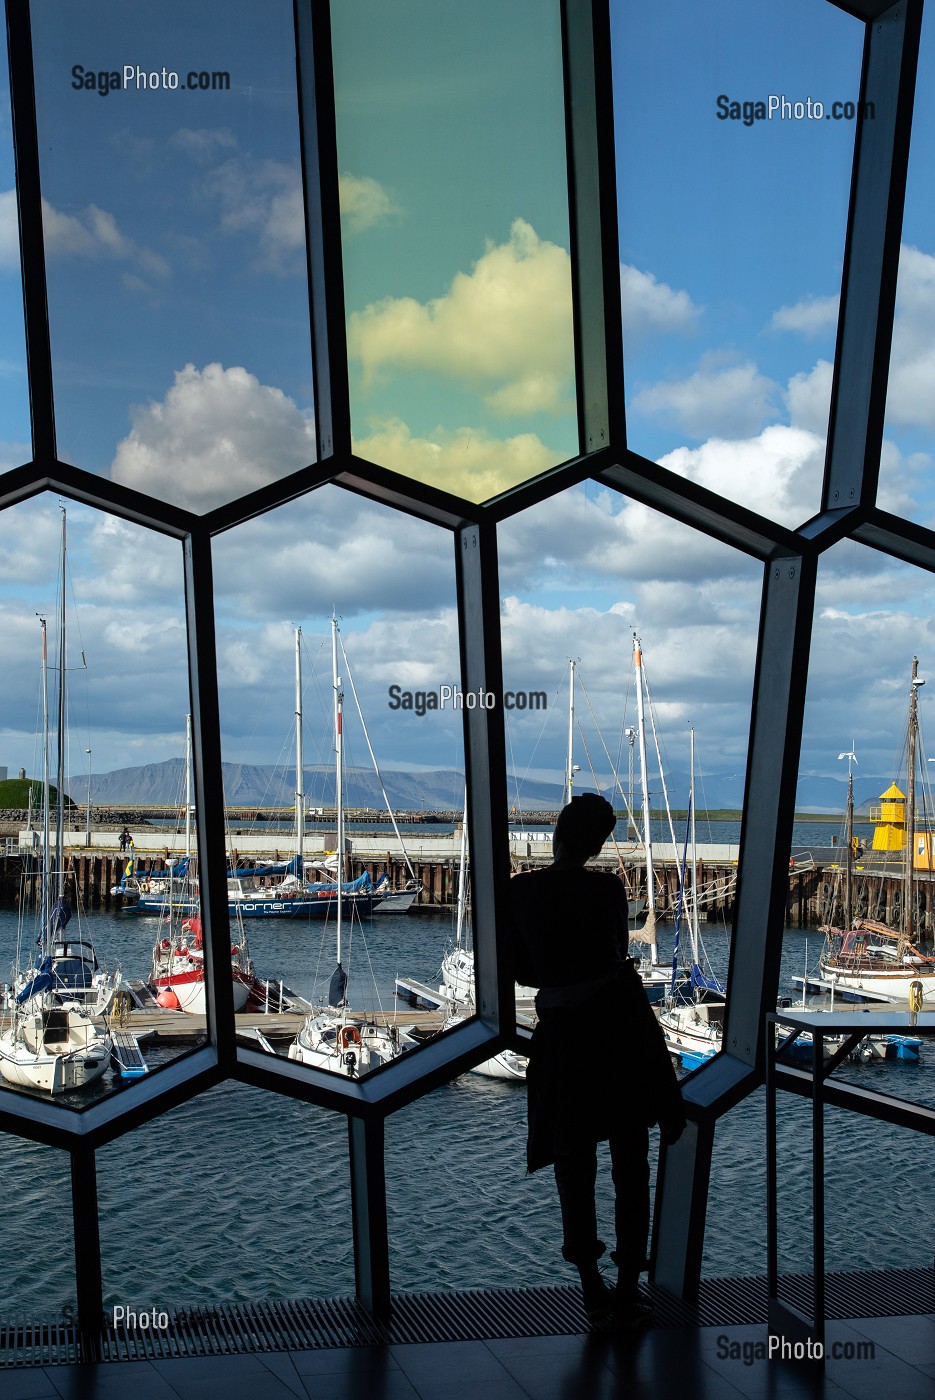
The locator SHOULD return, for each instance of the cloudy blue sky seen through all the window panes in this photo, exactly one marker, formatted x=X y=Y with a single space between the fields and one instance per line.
x=178 y=306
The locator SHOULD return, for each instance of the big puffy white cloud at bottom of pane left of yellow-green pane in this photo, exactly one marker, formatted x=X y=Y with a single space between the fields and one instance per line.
x=216 y=435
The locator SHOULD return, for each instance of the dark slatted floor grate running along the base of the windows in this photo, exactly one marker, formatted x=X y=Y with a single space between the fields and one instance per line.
x=471 y=1315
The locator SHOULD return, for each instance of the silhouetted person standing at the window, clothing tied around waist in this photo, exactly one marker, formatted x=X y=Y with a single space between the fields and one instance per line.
x=600 y=1070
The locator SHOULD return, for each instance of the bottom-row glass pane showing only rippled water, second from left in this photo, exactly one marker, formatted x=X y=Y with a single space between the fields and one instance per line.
x=201 y=1158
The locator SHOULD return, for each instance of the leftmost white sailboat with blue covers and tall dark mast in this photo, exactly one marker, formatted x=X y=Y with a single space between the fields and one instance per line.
x=52 y=1042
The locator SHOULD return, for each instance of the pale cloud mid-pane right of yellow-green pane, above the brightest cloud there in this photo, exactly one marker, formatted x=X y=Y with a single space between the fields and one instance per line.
x=723 y=398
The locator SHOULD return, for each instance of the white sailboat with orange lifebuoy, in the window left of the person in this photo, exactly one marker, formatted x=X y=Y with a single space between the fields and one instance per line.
x=334 y=1038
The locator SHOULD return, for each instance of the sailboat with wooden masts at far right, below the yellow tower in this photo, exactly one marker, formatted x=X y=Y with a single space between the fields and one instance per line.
x=866 y=958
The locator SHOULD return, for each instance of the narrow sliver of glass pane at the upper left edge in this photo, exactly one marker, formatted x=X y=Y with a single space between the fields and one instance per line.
x=15 y=390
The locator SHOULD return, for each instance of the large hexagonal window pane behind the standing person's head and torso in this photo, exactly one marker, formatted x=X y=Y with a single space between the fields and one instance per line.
x=639 y=636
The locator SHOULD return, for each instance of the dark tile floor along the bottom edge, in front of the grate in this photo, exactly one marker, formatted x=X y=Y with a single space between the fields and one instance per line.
x=667 y=1364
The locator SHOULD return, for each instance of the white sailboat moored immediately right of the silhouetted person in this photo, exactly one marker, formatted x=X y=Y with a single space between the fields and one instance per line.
x=694 y=1028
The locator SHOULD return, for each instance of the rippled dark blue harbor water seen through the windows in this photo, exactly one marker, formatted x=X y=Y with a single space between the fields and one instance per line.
x=241 y=1195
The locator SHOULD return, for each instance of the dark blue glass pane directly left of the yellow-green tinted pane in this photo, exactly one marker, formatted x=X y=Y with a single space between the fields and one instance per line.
x=173 y=208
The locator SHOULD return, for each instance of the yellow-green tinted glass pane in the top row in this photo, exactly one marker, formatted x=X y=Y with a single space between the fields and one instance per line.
x=456 y=216
